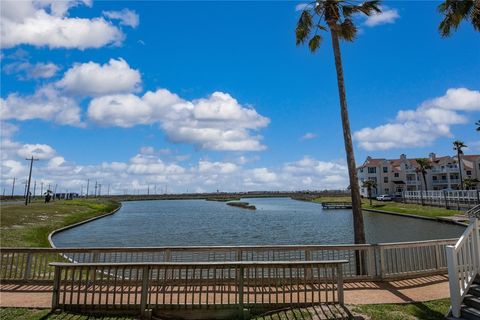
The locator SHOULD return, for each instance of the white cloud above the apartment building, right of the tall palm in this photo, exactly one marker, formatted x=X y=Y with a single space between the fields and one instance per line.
x=422 y=126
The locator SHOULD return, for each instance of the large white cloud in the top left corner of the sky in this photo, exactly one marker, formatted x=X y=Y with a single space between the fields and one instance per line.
x=46 y=23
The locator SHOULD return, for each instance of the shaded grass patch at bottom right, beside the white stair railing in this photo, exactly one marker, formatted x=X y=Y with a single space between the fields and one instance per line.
x=432 y=310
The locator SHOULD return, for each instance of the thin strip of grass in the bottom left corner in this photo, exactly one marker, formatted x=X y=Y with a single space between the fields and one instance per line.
x=44 y=314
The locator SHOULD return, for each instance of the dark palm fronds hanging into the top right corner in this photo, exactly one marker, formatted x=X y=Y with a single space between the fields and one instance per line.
x=456 y=11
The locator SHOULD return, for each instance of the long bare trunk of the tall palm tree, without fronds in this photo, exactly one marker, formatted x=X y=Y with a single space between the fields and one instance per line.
x=359 y=231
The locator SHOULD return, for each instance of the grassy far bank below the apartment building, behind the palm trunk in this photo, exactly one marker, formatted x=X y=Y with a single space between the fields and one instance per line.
x=398 y=207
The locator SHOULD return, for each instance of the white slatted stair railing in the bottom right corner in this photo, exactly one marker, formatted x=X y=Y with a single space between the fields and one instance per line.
x=463 y=261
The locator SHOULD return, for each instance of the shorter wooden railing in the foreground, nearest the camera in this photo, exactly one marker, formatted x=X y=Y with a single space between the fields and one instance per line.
x=87 y=287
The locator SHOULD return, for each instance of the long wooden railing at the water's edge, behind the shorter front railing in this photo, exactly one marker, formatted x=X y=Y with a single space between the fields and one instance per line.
x=365 y=262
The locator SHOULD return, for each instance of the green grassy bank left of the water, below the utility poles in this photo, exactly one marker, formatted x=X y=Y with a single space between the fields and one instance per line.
x=29 y=226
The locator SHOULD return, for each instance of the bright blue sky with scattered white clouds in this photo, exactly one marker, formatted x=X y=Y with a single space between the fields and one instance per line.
x=240 y=106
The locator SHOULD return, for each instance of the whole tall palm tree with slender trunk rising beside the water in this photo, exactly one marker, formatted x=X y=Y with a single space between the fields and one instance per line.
x=336 y=16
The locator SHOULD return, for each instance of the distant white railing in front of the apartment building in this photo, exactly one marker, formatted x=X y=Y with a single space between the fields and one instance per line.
x=457 y=199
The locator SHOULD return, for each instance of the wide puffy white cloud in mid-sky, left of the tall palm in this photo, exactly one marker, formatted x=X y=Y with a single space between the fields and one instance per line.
x=218 y=122
